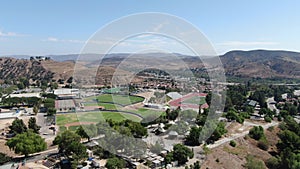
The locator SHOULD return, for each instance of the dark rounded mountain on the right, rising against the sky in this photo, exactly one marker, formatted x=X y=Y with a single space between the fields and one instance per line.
x=262 y=63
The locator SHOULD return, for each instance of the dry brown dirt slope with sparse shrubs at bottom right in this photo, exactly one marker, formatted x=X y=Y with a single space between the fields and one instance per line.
x=228 y=157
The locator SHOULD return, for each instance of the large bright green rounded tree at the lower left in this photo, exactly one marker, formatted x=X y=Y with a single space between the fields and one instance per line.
x=27 y=143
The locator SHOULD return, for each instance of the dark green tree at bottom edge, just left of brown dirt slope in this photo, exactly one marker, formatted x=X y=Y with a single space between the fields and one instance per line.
x=181 y=153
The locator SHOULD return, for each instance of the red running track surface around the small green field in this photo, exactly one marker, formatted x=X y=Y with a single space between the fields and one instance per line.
x=178 y=102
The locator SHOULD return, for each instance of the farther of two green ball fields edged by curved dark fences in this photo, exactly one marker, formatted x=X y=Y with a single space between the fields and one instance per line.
x=119 y=99
